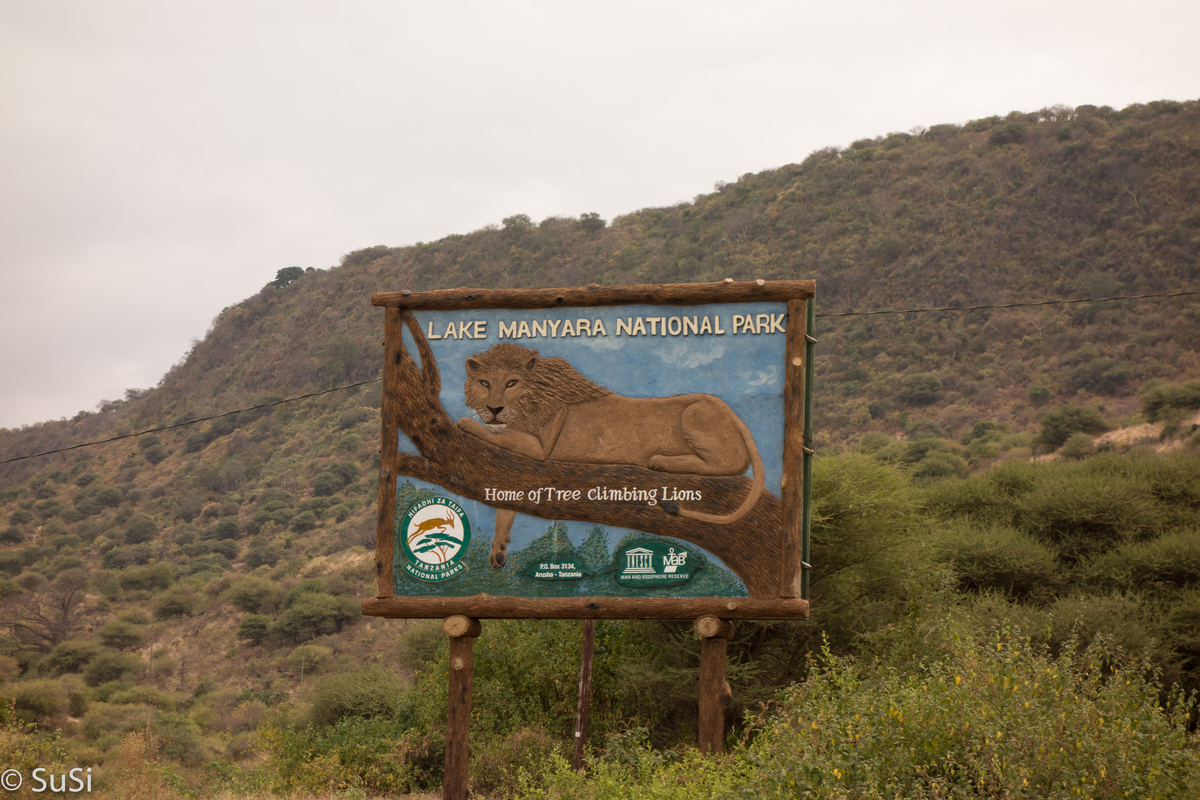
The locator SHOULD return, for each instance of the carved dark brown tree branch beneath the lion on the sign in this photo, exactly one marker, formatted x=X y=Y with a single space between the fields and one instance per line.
x=467 y=466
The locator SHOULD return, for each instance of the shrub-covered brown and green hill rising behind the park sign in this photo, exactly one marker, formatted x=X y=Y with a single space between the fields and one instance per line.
x=199 y=578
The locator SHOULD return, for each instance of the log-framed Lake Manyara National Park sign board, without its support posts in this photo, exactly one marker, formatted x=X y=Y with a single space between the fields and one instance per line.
x=601 y=453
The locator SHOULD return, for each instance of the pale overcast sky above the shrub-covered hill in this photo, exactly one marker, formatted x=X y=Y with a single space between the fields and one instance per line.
x=160 y=161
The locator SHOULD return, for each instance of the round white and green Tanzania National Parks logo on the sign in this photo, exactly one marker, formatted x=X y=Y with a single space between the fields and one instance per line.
x=435 y=536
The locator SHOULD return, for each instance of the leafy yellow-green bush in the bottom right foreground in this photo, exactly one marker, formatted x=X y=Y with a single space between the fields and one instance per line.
x=988 y=719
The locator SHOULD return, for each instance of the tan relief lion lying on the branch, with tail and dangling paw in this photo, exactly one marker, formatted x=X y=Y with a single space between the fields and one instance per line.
x=547 y=410
